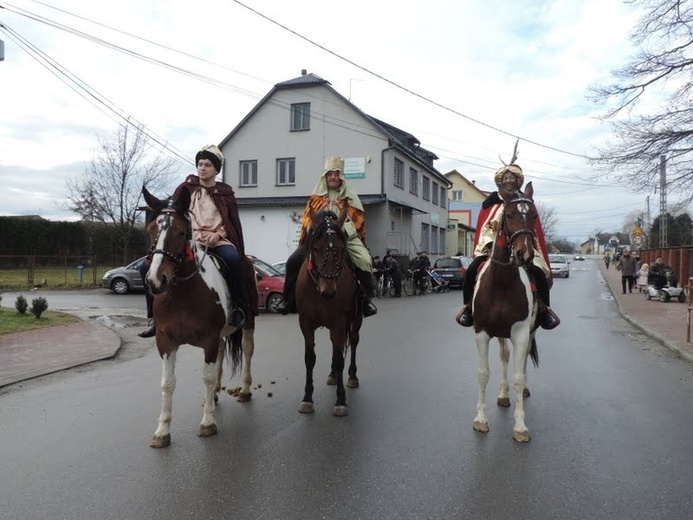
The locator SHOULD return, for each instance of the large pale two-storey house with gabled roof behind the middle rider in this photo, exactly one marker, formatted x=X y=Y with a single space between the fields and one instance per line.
x=276 y=154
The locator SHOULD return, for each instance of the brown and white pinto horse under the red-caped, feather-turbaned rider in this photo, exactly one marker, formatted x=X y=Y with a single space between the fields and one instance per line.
x=505 y=307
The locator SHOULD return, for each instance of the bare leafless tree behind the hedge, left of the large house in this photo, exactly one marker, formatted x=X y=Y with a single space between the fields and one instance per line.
x=109 y=190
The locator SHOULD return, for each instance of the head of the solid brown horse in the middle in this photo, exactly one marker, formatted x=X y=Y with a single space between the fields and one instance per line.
x=326 y=250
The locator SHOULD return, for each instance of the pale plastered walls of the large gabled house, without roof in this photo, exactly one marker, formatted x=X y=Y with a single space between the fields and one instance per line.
x=336 y=129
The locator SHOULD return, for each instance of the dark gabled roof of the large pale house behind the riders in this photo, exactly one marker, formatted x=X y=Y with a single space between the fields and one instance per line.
x=400 y=139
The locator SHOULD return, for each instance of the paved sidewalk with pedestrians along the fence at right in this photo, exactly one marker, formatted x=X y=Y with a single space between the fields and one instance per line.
x=664 y=322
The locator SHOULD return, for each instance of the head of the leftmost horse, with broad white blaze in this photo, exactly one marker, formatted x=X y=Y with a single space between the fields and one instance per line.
x=168 y=236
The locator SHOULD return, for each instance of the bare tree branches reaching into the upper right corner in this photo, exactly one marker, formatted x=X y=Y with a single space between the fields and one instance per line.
x=663 y=64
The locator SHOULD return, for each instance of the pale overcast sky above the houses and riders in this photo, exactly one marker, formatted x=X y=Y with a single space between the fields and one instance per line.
x=464 y=76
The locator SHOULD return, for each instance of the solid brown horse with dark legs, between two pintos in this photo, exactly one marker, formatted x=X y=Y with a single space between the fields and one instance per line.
x=327 y=295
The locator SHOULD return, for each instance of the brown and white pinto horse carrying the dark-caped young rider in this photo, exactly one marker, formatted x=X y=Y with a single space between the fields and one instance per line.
x=191 y=307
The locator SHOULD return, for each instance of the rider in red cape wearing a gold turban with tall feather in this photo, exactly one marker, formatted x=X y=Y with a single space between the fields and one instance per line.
x=509 y=180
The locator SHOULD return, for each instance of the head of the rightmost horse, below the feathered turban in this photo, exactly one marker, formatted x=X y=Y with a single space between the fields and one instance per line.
x=519 y=219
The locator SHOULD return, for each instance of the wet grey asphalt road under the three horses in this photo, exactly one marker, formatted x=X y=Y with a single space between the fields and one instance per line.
x=608 y=415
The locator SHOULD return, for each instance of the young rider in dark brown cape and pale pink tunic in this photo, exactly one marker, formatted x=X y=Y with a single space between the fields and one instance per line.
x=215 y=223
